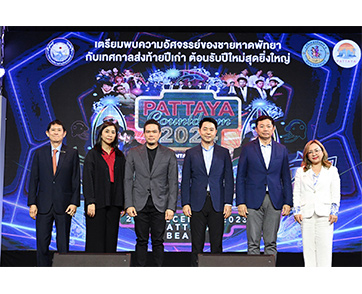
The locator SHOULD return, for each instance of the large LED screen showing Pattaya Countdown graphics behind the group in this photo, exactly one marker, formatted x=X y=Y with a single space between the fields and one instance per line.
x=86 y=77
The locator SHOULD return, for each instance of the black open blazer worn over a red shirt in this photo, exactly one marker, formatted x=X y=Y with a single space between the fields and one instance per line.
x=96 y=180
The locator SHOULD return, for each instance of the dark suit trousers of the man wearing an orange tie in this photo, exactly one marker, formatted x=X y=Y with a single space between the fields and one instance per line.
x=44 y=226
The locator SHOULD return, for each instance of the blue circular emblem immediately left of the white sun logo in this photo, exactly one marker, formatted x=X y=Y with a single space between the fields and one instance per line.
x=315 y=53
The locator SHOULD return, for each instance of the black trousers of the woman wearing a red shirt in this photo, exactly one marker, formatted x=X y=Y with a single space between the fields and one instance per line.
x=102 y=230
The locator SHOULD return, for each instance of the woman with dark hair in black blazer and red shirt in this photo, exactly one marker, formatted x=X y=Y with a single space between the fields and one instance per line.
x=103 y=175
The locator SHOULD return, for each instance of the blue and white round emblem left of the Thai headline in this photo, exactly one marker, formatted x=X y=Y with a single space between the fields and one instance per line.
x=59 y=51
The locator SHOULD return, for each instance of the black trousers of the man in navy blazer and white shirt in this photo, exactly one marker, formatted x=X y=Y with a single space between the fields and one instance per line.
x=199 y=220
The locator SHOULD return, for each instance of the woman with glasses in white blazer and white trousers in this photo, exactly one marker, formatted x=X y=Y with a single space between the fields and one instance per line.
x=316 y=199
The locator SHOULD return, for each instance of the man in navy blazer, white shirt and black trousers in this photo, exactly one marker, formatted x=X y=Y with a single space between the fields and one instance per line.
x=207 y=189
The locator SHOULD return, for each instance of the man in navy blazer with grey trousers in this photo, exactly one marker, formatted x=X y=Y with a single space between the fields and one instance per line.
x=263 y=187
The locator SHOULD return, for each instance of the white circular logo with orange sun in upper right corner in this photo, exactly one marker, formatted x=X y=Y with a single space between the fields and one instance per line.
x=346 y=53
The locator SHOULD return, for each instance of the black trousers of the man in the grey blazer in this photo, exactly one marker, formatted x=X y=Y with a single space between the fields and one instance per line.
x=149 y=219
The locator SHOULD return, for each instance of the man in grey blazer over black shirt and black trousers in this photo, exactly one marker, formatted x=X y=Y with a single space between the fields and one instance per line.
x=151 y=188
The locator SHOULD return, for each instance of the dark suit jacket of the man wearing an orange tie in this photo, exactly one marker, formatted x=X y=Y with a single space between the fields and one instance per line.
x=59 y=190
